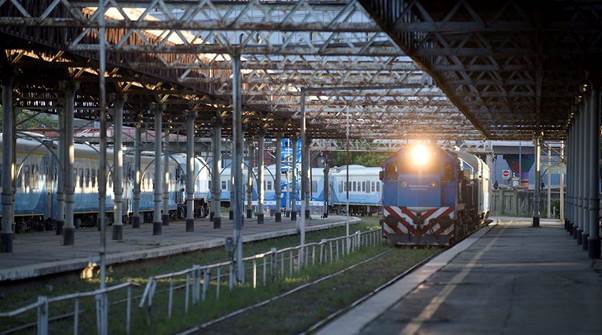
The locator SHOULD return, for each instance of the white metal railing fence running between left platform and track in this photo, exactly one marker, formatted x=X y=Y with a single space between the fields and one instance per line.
x=165 y=293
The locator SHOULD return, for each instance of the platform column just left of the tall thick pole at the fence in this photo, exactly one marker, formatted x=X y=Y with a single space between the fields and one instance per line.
x=216 y=187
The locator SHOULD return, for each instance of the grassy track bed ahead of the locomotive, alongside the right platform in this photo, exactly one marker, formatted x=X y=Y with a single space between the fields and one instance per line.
x=299 y=311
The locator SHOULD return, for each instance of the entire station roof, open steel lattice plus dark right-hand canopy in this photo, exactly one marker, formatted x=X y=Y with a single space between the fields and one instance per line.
x=391 y=69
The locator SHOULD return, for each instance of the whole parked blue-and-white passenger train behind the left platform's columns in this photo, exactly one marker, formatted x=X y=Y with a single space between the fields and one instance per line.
x=36 y=197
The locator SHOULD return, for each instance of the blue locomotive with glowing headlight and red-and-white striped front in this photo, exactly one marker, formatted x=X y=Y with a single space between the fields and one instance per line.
x=433 y=196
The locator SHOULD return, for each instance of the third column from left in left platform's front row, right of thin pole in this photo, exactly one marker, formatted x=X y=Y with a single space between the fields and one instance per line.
x=118 y=169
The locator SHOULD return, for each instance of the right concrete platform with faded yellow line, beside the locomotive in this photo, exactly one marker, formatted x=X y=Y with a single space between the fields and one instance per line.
x=513 y=279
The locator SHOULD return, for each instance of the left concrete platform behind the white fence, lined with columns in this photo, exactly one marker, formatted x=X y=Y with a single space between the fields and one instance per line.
x=41 y=253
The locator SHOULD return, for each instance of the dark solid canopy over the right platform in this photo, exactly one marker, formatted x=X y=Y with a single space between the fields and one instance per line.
x=516 y=69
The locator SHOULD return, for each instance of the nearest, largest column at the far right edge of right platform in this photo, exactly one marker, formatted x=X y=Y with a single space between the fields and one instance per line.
x=594 y=173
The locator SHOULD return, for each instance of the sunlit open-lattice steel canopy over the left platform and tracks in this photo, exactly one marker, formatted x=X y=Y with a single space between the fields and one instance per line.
x=179 y=53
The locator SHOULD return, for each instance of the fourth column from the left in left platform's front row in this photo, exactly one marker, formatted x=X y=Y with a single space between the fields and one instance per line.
x=158 y=179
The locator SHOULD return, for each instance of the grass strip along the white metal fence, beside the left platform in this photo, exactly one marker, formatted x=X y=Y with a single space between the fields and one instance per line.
x=13 y=295
